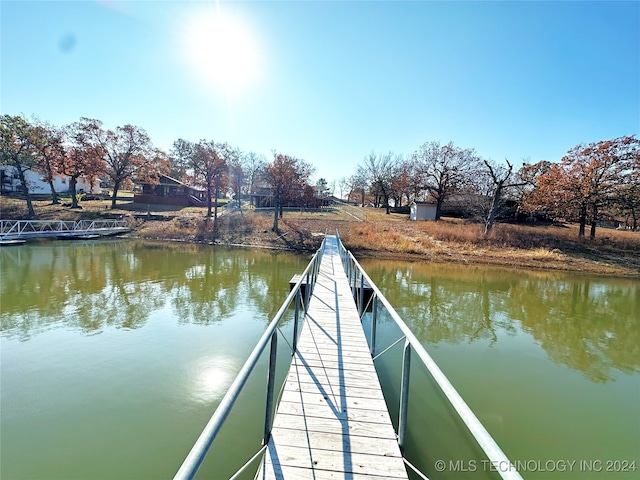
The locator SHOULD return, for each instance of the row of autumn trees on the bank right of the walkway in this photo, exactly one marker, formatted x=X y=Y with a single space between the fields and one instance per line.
x=591 y=183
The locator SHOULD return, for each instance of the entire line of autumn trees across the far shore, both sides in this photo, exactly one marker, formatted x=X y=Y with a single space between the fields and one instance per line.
x=593 y=182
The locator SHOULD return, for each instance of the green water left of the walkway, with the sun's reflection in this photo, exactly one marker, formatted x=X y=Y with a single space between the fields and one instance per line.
x=114 y=355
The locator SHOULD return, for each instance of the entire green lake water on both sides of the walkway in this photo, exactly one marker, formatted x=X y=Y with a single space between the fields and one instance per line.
x=114 y=354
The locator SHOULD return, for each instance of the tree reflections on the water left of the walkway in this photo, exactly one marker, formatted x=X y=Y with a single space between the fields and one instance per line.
x=91 y=286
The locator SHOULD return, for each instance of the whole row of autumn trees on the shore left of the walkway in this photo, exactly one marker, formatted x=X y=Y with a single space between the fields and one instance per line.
x=125 y=155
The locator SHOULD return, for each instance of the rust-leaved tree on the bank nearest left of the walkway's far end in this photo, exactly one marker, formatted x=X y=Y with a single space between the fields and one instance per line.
x=287 y=176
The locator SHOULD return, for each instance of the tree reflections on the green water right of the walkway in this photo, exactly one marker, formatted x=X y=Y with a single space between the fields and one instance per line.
x=586 y=323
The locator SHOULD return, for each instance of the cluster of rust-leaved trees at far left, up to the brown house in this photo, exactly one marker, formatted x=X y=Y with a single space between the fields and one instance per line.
x=81 y=149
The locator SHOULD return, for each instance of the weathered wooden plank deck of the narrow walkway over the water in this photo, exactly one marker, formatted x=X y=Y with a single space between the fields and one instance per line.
x=332 y=421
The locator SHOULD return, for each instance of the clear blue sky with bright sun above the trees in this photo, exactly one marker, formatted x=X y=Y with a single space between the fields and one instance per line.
x=332 y=81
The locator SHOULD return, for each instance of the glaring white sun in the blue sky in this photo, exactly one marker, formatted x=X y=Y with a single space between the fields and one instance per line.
x=222 y=51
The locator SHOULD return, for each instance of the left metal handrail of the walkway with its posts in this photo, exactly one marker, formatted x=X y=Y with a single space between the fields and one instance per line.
x=196 y=456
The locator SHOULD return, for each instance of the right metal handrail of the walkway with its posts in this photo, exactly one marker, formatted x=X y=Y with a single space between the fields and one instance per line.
x=494 y=453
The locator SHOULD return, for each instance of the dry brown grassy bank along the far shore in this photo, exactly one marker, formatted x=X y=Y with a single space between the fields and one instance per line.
x=392 y=236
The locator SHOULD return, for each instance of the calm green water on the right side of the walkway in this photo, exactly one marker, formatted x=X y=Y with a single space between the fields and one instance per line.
x=549 y=362
